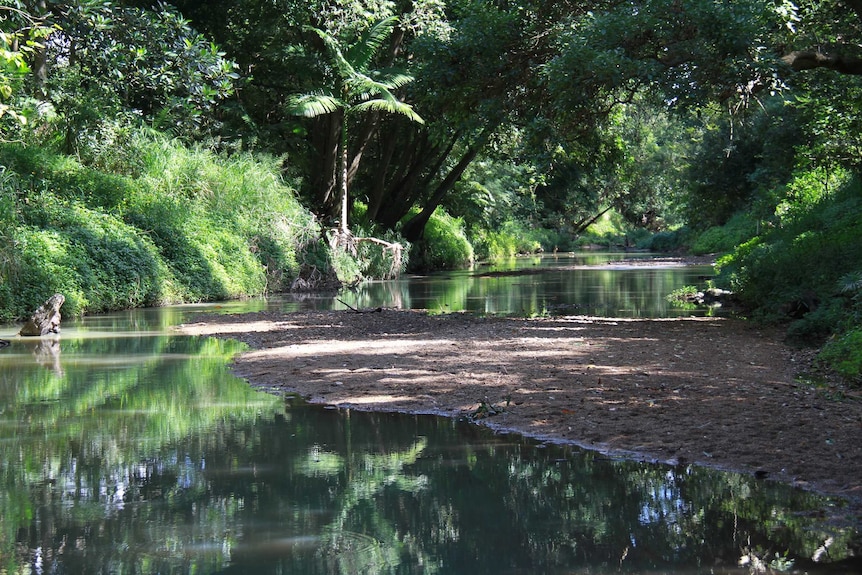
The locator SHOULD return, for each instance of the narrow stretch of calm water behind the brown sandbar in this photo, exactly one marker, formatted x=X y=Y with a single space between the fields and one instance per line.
x=599 y=284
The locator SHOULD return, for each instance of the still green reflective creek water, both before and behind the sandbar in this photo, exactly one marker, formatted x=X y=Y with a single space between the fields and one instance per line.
x=125 y=449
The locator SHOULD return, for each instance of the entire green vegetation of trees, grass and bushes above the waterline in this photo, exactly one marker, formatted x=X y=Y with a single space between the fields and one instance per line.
x=463 y=128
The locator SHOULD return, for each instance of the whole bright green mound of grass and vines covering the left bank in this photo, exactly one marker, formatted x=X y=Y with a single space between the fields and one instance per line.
x=173 y=224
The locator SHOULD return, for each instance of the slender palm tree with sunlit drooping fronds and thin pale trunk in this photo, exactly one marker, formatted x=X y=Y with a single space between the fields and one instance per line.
x=357 y=89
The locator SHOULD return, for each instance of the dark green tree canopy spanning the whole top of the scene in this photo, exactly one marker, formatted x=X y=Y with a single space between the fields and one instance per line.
x=547 y=85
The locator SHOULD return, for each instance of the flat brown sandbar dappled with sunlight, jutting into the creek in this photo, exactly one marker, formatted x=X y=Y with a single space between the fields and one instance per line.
x=704 y=391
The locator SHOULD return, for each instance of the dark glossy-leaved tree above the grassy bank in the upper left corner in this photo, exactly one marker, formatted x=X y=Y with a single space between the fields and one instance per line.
x=101 y=61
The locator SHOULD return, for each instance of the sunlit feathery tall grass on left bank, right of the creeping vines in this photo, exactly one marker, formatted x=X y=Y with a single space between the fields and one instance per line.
x=240 y=206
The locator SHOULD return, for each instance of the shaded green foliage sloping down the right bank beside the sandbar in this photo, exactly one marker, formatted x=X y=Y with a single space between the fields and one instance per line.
x=798 y=268
